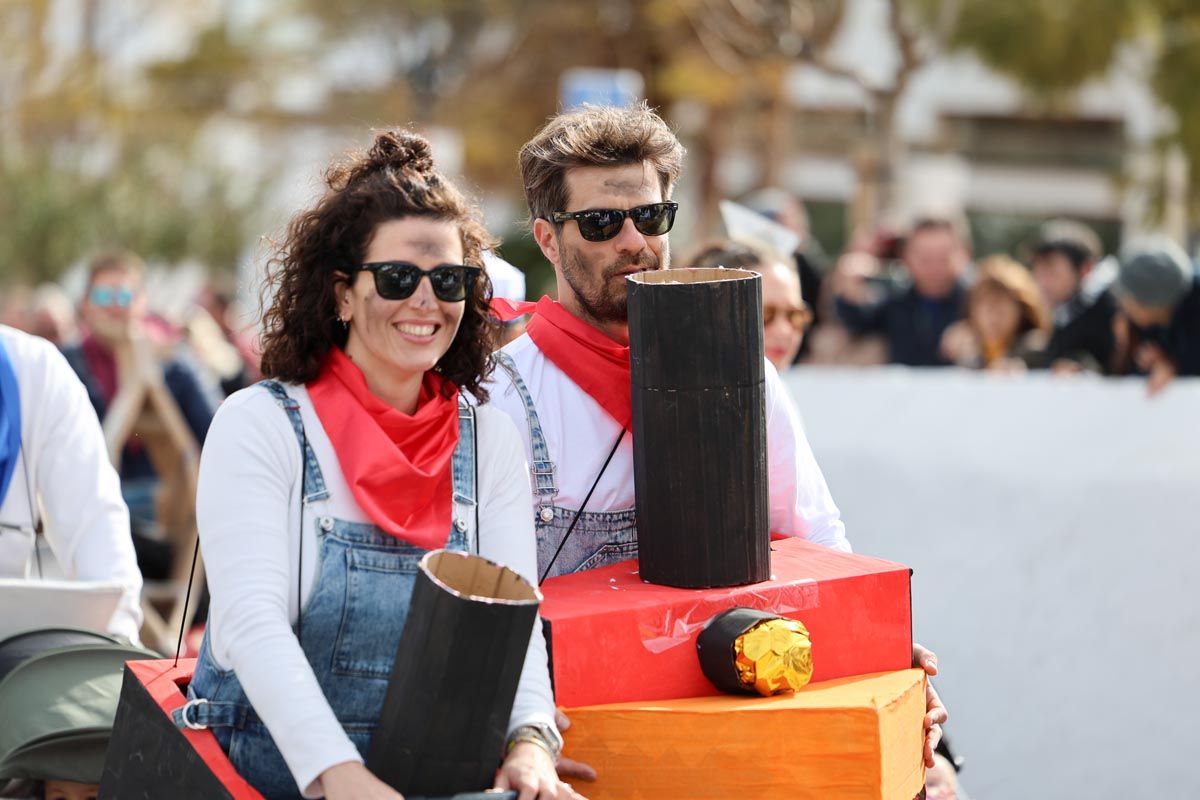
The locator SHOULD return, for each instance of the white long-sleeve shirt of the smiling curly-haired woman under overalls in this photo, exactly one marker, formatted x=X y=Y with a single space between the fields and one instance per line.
x=249 y=514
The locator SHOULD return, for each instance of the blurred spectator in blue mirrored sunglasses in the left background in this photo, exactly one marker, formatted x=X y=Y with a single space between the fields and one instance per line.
x=113 y=311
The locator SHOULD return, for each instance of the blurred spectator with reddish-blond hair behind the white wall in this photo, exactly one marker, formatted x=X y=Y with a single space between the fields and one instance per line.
x=1006 y=320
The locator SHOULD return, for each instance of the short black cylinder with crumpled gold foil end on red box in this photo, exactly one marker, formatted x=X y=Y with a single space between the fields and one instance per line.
x=748 y=652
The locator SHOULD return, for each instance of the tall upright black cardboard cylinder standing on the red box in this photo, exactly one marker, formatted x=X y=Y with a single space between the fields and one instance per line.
x=700 y=429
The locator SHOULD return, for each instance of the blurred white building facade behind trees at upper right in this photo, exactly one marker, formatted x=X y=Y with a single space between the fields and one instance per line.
x=975 y=141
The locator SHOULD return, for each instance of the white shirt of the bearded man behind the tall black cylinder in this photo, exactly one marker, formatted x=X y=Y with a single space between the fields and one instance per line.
x=580 y=436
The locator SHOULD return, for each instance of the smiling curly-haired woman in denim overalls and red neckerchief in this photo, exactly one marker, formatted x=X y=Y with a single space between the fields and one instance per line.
x=322 y=488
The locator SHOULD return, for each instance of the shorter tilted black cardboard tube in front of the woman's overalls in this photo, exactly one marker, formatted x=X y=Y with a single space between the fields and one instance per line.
x=451 y=695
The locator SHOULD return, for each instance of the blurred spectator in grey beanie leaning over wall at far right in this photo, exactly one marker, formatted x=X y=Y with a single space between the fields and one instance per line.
x=1159 y=293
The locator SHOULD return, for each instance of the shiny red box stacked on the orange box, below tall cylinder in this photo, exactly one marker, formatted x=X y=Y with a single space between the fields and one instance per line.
x=619 y=640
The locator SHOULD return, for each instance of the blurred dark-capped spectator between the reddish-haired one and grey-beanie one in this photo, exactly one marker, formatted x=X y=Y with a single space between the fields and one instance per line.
x=1065 y=261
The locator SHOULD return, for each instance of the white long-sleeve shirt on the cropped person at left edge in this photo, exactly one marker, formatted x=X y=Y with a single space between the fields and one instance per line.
x=87 y=524
